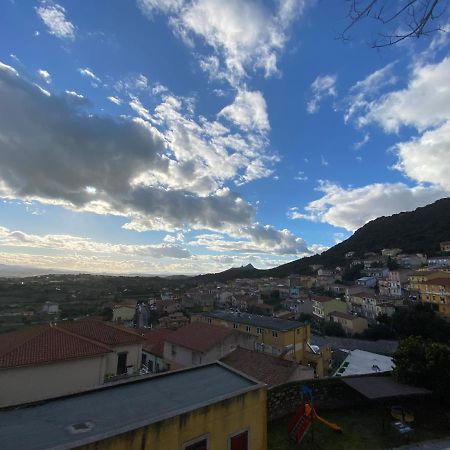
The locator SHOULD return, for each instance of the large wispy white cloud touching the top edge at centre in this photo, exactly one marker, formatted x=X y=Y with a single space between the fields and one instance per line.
x=246 y=35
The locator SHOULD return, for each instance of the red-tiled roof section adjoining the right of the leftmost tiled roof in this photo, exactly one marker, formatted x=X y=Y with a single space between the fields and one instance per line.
x=102 y=332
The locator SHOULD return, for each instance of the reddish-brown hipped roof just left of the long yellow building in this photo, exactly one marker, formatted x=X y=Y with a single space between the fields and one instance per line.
x=199 y=336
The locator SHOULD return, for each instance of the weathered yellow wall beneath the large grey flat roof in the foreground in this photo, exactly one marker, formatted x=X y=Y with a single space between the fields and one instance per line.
x=218 y=421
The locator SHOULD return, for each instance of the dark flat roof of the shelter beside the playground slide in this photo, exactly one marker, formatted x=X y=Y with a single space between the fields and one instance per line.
x=382 y=387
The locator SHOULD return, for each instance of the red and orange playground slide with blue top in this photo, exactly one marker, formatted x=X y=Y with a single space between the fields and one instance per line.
x=304 y=417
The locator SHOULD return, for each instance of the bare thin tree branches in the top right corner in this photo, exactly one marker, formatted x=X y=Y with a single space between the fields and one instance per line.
x=399 y=20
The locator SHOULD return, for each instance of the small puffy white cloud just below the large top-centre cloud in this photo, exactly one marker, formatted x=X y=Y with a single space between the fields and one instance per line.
x=248 y=111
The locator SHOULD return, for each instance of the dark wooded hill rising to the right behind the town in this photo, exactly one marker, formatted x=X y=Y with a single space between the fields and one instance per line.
x=418 y=231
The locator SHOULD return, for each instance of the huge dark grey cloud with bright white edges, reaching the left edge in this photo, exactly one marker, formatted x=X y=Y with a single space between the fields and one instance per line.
x=155 y=178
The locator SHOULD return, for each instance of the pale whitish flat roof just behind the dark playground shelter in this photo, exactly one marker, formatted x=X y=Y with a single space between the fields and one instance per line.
x=360 y=362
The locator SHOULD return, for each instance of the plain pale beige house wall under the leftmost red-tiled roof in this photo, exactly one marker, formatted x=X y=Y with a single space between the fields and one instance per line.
x=35 y=383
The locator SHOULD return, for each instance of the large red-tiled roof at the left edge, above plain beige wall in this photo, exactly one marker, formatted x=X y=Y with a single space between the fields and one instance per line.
x=45 y=344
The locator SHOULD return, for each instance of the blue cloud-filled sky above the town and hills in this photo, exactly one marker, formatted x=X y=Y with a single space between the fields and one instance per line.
x=190 y=136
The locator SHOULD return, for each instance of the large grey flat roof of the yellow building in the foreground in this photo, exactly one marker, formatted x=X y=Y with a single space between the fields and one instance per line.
x=114 y=410
